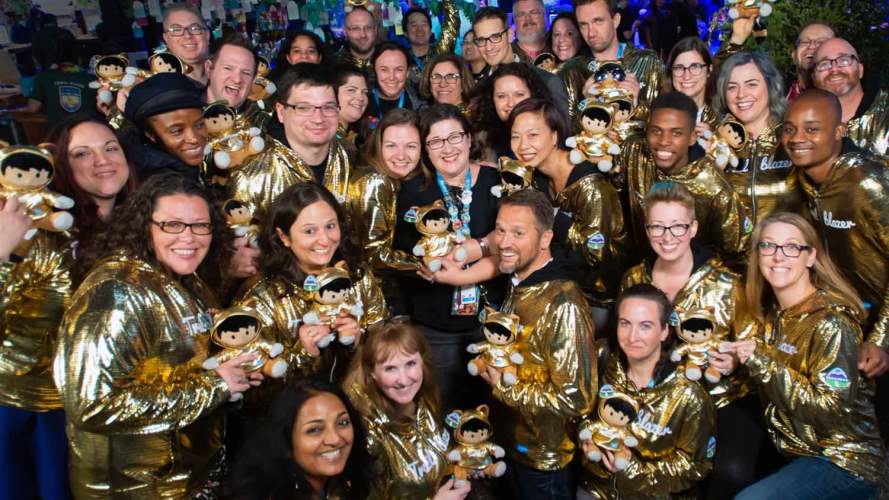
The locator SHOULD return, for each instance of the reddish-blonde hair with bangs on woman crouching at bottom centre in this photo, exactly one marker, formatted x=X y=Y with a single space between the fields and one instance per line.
x=380 y=344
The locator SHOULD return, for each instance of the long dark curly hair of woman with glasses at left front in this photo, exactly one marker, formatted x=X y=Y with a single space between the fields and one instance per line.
x=130 y=228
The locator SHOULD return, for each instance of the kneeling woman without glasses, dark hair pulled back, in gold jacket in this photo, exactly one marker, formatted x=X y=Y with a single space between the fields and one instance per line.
x=675 y=424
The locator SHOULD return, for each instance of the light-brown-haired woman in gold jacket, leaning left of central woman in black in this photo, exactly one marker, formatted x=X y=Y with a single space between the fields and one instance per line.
x=392 y=154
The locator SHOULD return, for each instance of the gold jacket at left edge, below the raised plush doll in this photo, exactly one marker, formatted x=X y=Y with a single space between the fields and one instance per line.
x=34 y=294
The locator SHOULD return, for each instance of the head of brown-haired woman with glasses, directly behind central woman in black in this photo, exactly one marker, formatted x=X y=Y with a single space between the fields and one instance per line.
x=447 y=80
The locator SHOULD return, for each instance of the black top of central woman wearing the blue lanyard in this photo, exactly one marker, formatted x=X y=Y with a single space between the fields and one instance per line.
x=430 y=303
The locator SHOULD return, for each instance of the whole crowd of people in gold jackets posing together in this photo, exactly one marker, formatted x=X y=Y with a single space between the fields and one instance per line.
x=430 y=269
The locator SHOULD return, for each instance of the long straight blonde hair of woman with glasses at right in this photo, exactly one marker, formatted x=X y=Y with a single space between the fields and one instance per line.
x=824 y=274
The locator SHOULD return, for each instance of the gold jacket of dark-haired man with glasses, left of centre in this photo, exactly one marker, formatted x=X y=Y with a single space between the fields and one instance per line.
x=278 y=167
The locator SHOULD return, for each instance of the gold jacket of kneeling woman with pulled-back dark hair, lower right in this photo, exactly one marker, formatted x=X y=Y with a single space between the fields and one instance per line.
x=676 y=429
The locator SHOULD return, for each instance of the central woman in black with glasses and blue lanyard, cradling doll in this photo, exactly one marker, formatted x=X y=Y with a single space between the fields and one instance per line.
x=447 y=314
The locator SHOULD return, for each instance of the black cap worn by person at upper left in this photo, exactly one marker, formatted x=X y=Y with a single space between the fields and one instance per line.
x=161 y=93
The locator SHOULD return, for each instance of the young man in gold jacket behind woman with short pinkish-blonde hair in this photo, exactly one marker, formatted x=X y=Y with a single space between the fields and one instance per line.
x=663 y=155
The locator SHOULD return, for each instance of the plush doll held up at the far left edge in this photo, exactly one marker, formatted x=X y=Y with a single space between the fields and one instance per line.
x=25 y=173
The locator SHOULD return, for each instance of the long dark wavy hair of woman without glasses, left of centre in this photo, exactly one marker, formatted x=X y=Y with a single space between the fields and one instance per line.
x=278 y=261
